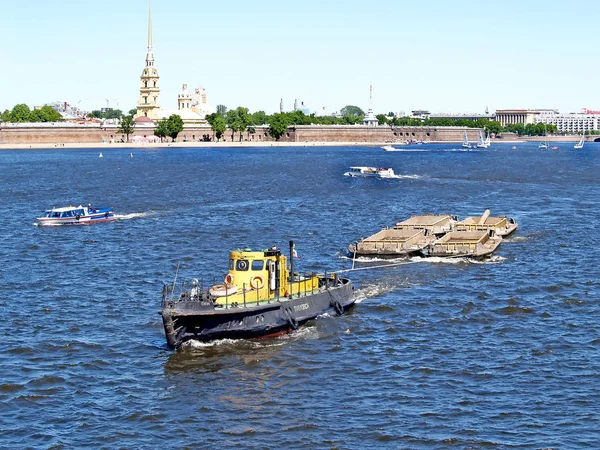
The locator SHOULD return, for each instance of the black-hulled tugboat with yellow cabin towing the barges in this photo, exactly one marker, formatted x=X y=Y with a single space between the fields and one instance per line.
x=259 y=297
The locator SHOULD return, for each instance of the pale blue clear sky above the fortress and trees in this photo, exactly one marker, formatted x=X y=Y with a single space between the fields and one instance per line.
x=438 y=55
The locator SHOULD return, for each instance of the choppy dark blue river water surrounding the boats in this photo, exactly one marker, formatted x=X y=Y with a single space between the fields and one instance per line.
x=435 y=355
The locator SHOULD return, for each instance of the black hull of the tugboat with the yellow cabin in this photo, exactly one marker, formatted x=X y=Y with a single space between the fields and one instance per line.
x=195 y=320
